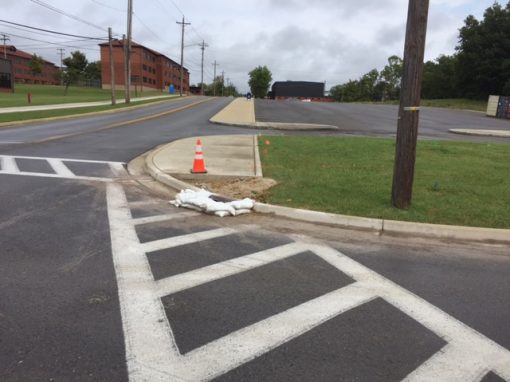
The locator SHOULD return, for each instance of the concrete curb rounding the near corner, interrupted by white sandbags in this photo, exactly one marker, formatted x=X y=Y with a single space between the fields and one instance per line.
x=380 y=226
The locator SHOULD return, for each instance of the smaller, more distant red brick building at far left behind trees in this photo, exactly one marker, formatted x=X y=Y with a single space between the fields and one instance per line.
x=23 y=74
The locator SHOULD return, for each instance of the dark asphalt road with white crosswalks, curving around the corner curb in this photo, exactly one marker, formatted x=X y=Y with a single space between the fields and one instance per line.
x=102 y=281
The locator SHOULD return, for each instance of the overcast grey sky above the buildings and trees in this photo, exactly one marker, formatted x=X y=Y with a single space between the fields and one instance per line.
x=322 y=40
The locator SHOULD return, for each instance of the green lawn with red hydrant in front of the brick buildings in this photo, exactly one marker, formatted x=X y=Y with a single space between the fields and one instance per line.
x=48 y=94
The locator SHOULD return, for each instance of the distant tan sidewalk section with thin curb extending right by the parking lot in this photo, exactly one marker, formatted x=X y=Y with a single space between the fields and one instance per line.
x=241 y=112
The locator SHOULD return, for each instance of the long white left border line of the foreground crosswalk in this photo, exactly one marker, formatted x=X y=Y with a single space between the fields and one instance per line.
x=149 y=342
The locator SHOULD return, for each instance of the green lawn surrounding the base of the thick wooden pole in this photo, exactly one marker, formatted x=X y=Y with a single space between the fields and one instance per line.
x=455 y=182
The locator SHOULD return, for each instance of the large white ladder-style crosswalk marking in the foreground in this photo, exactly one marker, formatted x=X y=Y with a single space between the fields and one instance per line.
x=153 y=354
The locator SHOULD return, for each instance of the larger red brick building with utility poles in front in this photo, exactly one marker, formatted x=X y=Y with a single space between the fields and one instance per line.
x=150 y=70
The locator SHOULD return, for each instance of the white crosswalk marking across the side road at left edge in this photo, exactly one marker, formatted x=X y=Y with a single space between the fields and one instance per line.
x=9 y=166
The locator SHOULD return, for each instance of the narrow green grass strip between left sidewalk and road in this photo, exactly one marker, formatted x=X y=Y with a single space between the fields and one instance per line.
x=16 y=117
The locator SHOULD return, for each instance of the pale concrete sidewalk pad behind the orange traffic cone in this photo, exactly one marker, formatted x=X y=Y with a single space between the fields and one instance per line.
x=223 y=156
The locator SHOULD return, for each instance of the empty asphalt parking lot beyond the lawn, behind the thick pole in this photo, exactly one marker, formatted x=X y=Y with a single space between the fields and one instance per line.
x=379 y=120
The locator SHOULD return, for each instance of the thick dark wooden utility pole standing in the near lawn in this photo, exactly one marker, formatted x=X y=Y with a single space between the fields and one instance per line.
x=409 y=111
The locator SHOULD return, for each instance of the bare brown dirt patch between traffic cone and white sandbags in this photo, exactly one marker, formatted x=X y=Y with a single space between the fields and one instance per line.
x=237 y=188
